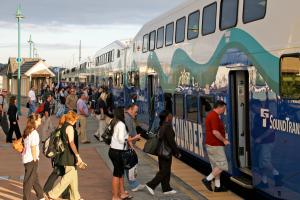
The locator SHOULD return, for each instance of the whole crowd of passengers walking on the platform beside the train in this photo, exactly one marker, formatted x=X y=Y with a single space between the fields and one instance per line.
x=78 y=104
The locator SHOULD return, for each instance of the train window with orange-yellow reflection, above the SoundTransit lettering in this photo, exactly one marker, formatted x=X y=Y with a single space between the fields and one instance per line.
x=290 y=76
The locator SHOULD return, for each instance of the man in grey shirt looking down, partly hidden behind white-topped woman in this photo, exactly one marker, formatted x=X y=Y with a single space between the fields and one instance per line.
x=130 y=116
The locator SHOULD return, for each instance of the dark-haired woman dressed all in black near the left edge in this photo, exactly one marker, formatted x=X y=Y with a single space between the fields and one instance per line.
x=13 y=120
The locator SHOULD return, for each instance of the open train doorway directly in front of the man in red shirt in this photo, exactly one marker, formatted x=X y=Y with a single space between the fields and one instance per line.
x=239 y=91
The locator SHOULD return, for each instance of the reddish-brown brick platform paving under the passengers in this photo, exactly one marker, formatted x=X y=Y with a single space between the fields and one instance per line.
x=95 y=182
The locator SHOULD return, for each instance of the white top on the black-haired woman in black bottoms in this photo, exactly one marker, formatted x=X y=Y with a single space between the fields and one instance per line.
x=119 y=137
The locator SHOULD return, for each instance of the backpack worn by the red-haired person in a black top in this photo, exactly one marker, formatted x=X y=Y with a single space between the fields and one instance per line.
x=53 y=145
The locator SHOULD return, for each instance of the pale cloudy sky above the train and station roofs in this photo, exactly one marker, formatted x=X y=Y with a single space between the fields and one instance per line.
x=57 y=26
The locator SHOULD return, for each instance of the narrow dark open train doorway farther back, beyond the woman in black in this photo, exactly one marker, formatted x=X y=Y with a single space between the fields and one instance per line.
x=151 y=84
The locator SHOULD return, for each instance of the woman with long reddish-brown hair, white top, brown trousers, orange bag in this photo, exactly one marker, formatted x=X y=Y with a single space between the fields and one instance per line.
x=30 y=158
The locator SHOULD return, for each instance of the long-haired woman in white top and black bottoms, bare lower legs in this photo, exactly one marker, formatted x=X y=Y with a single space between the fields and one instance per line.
x=117 y=147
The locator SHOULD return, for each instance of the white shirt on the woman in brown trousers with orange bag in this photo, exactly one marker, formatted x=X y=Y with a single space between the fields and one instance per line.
x=33 y=139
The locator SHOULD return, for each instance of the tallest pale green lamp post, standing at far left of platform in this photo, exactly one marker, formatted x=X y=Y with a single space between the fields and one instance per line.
x=19 y=16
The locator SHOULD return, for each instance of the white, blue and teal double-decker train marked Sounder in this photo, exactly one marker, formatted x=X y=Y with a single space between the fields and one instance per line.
x=245 y=52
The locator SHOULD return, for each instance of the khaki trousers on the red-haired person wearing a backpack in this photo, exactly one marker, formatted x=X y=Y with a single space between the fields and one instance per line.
x=69 y=179
